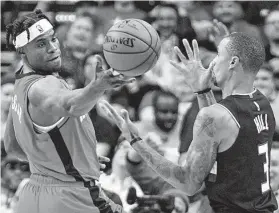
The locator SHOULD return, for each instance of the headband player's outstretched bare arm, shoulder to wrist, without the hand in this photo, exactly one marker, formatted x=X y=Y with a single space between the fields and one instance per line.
x=51 y=96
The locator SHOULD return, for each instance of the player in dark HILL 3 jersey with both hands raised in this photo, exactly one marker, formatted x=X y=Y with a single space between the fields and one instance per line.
x=232 y=139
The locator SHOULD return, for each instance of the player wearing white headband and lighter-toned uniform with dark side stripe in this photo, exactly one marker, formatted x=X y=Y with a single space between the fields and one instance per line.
x=48 y=125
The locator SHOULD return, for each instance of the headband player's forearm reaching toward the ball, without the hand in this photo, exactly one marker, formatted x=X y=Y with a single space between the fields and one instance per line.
x=81 y=101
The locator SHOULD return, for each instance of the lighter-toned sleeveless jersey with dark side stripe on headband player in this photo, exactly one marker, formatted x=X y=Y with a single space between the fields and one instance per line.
x=67 y=152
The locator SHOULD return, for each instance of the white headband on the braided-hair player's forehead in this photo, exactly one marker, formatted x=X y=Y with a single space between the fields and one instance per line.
x=35 y=30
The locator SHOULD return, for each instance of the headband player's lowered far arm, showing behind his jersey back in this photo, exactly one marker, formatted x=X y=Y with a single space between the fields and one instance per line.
x=10 y=142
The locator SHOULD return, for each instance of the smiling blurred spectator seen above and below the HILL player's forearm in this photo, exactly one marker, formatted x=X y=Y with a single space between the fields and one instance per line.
x=162 y=134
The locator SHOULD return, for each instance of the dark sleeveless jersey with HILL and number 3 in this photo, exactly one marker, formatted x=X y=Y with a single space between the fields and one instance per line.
x=241 y=183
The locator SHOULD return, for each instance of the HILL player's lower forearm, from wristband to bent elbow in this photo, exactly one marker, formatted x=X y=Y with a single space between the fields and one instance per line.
x=175 y=175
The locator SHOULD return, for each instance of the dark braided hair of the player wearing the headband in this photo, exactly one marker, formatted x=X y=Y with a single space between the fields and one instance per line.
x=21 y=24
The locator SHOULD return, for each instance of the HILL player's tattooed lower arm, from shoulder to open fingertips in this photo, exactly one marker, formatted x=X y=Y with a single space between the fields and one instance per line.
x=214 y=130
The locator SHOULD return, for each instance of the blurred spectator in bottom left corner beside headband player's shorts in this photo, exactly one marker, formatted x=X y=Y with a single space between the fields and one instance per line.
x=13 y=172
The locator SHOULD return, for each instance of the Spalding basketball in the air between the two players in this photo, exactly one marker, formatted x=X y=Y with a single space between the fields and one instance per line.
x=132 y=47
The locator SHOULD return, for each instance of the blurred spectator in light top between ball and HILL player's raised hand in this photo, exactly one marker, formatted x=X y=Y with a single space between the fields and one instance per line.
x=172 y=29
